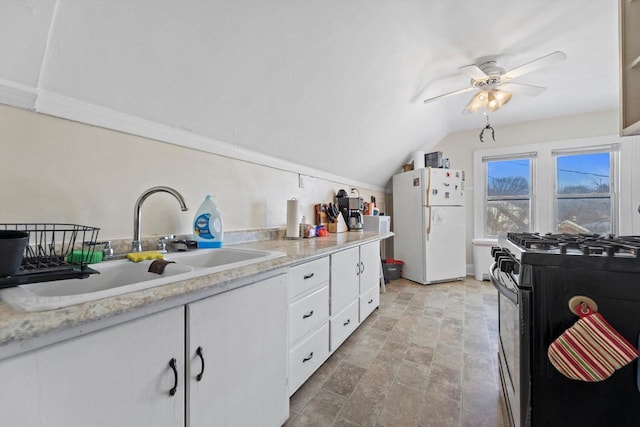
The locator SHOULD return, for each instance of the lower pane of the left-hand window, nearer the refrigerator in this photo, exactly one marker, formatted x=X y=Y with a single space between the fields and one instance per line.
x=507 y=216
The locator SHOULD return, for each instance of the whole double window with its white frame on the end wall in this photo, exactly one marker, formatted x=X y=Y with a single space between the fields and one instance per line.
x=569 y=186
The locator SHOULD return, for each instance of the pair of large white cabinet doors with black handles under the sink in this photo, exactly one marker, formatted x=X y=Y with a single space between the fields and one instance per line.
x=121 y=376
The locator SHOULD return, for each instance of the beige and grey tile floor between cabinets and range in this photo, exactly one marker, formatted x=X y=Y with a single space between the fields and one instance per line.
x=426 y=357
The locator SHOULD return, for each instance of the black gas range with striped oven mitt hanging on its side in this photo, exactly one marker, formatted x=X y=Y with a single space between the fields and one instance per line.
x=536 y=276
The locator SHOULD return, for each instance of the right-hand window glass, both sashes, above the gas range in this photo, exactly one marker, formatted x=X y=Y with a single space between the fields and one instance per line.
x=583 y=192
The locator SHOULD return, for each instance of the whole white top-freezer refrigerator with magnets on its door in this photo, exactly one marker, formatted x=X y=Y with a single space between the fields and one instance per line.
x=429 y=224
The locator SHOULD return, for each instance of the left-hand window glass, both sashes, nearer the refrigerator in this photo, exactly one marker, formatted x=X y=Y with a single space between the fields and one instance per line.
x=508 y=194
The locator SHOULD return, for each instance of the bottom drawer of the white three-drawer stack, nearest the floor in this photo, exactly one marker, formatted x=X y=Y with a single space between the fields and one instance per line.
x=307 y=356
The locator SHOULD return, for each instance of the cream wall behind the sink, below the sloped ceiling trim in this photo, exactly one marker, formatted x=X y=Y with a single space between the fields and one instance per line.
x=56 y=170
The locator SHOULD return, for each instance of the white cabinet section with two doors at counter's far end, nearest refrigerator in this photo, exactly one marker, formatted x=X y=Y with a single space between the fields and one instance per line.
x=355 y=275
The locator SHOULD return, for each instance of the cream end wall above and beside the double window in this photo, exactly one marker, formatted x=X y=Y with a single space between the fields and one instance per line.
x=459 y=147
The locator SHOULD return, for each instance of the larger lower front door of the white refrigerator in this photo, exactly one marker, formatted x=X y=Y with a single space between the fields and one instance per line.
x=445 y=245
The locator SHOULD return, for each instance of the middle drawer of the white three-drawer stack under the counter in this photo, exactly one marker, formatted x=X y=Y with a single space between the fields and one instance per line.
x=308 y=313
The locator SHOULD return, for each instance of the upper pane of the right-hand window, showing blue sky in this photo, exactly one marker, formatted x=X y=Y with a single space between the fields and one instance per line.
x=583 y=173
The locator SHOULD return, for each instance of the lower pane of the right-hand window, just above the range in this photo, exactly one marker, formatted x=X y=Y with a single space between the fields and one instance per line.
x=584 y=215
